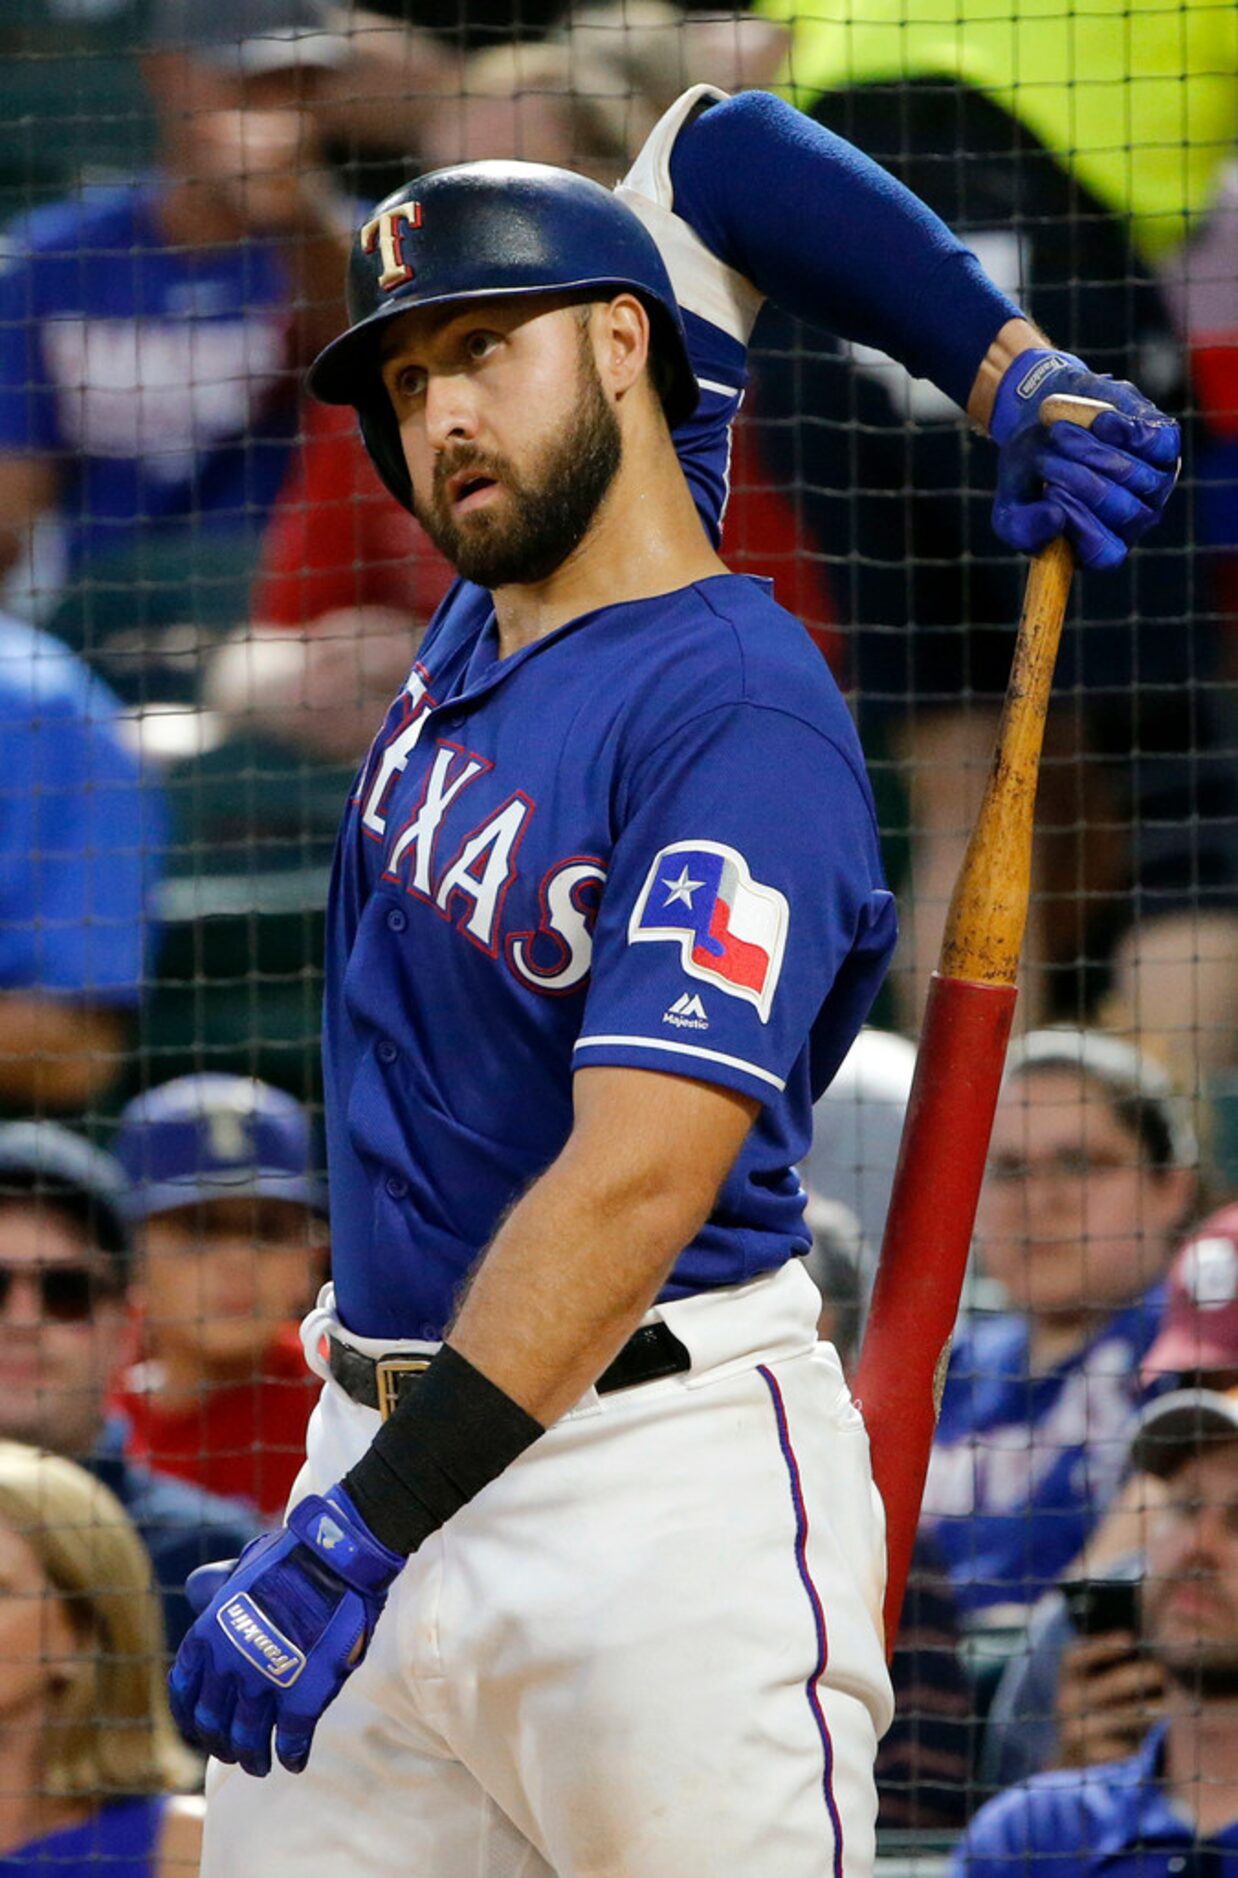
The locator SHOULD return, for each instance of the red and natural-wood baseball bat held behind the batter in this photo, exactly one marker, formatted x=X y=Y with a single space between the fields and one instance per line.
x=957 y=1077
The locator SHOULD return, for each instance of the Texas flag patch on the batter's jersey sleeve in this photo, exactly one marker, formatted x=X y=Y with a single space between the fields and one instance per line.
x=732 y=931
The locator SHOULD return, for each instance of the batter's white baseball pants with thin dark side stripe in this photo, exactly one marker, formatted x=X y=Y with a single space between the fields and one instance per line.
x=649 y=1650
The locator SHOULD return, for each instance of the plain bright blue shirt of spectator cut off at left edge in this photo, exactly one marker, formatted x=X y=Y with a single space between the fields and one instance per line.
x=82 y=829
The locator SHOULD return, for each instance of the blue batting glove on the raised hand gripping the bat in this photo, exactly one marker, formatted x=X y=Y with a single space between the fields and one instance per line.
x=1102 y=487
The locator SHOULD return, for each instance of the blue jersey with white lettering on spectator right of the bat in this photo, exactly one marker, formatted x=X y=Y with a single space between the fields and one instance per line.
x=1025 y=1466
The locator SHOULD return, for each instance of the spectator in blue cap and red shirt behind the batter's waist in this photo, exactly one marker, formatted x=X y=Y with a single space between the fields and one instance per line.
x=232 y=1233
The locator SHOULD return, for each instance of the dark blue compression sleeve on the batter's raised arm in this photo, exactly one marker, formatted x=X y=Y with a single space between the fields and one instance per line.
x=831 y=238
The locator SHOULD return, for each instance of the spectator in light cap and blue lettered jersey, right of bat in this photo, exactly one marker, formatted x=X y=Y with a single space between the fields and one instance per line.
x=1091 y=1180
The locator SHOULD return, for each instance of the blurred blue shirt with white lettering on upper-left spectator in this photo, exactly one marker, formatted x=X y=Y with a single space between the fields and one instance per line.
x=159 y=380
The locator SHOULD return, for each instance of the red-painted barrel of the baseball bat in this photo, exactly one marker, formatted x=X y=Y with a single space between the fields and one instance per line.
x=933 y=1208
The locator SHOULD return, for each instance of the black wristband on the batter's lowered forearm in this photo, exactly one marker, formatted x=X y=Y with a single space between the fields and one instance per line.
x=446 y=1441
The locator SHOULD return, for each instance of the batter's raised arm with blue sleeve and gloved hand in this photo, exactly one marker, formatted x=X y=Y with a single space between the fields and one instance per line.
x=752 y=200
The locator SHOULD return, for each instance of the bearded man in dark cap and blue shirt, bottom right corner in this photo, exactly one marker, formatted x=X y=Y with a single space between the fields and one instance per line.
x=1173 y=1806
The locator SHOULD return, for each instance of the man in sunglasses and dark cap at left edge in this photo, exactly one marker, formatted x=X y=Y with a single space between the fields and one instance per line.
x=67 y=1332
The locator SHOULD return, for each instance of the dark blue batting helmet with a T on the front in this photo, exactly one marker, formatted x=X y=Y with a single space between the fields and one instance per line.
x=480 y=232
